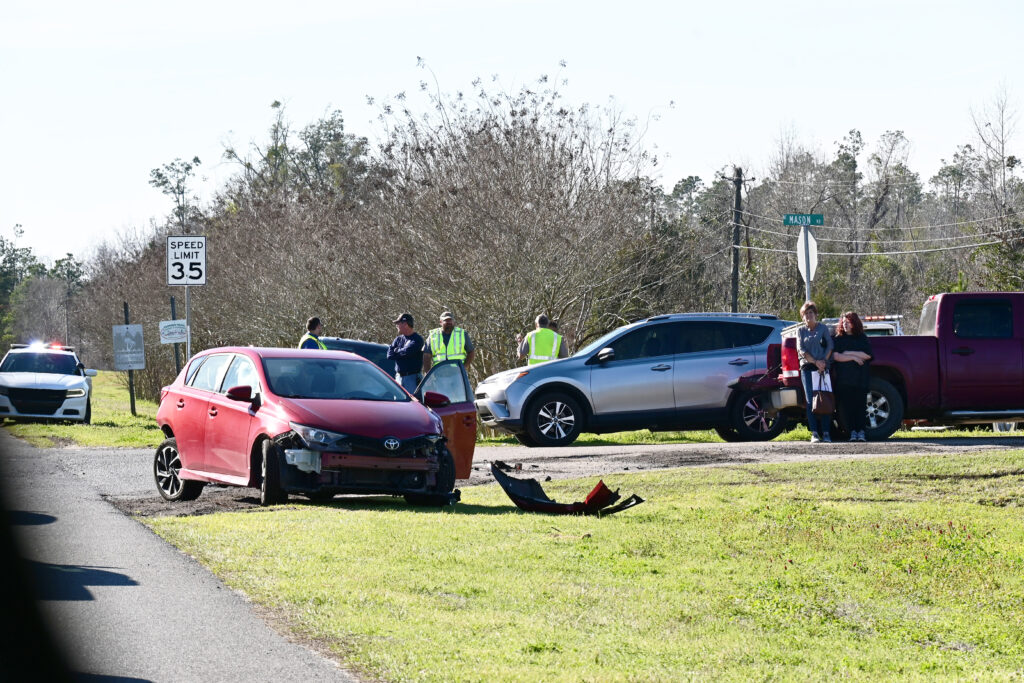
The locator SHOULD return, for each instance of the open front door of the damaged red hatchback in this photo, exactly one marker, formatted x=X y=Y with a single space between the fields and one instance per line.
x=450 y=378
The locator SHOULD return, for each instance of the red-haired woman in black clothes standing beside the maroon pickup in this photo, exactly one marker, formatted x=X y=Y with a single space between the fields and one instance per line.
x=850 y=374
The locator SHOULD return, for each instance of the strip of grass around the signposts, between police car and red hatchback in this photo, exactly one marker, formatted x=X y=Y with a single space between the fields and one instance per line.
x=113 y=423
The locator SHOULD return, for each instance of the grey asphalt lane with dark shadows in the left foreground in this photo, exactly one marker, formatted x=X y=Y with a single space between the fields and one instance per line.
x=122 y=604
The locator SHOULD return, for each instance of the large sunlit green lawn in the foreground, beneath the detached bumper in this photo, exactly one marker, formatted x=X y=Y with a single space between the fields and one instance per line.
x=903 y=568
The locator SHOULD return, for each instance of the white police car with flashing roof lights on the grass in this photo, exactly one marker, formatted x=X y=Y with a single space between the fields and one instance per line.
x=46 y=382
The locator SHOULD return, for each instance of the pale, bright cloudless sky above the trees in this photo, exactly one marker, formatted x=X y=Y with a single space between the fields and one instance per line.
x=97 y=95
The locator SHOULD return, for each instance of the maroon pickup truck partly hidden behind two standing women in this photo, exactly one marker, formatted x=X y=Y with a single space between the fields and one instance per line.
x=966 y=366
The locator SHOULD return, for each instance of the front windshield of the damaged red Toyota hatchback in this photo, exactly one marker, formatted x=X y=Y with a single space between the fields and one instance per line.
x=330 y=379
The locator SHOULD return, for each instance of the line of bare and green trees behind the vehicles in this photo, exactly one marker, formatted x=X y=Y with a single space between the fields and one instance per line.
x=499 y=206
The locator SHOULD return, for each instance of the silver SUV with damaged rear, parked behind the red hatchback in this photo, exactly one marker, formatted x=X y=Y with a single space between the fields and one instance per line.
x=664 y=373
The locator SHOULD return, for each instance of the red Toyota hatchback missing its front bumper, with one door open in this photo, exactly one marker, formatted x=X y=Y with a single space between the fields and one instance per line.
x=316 y=423
